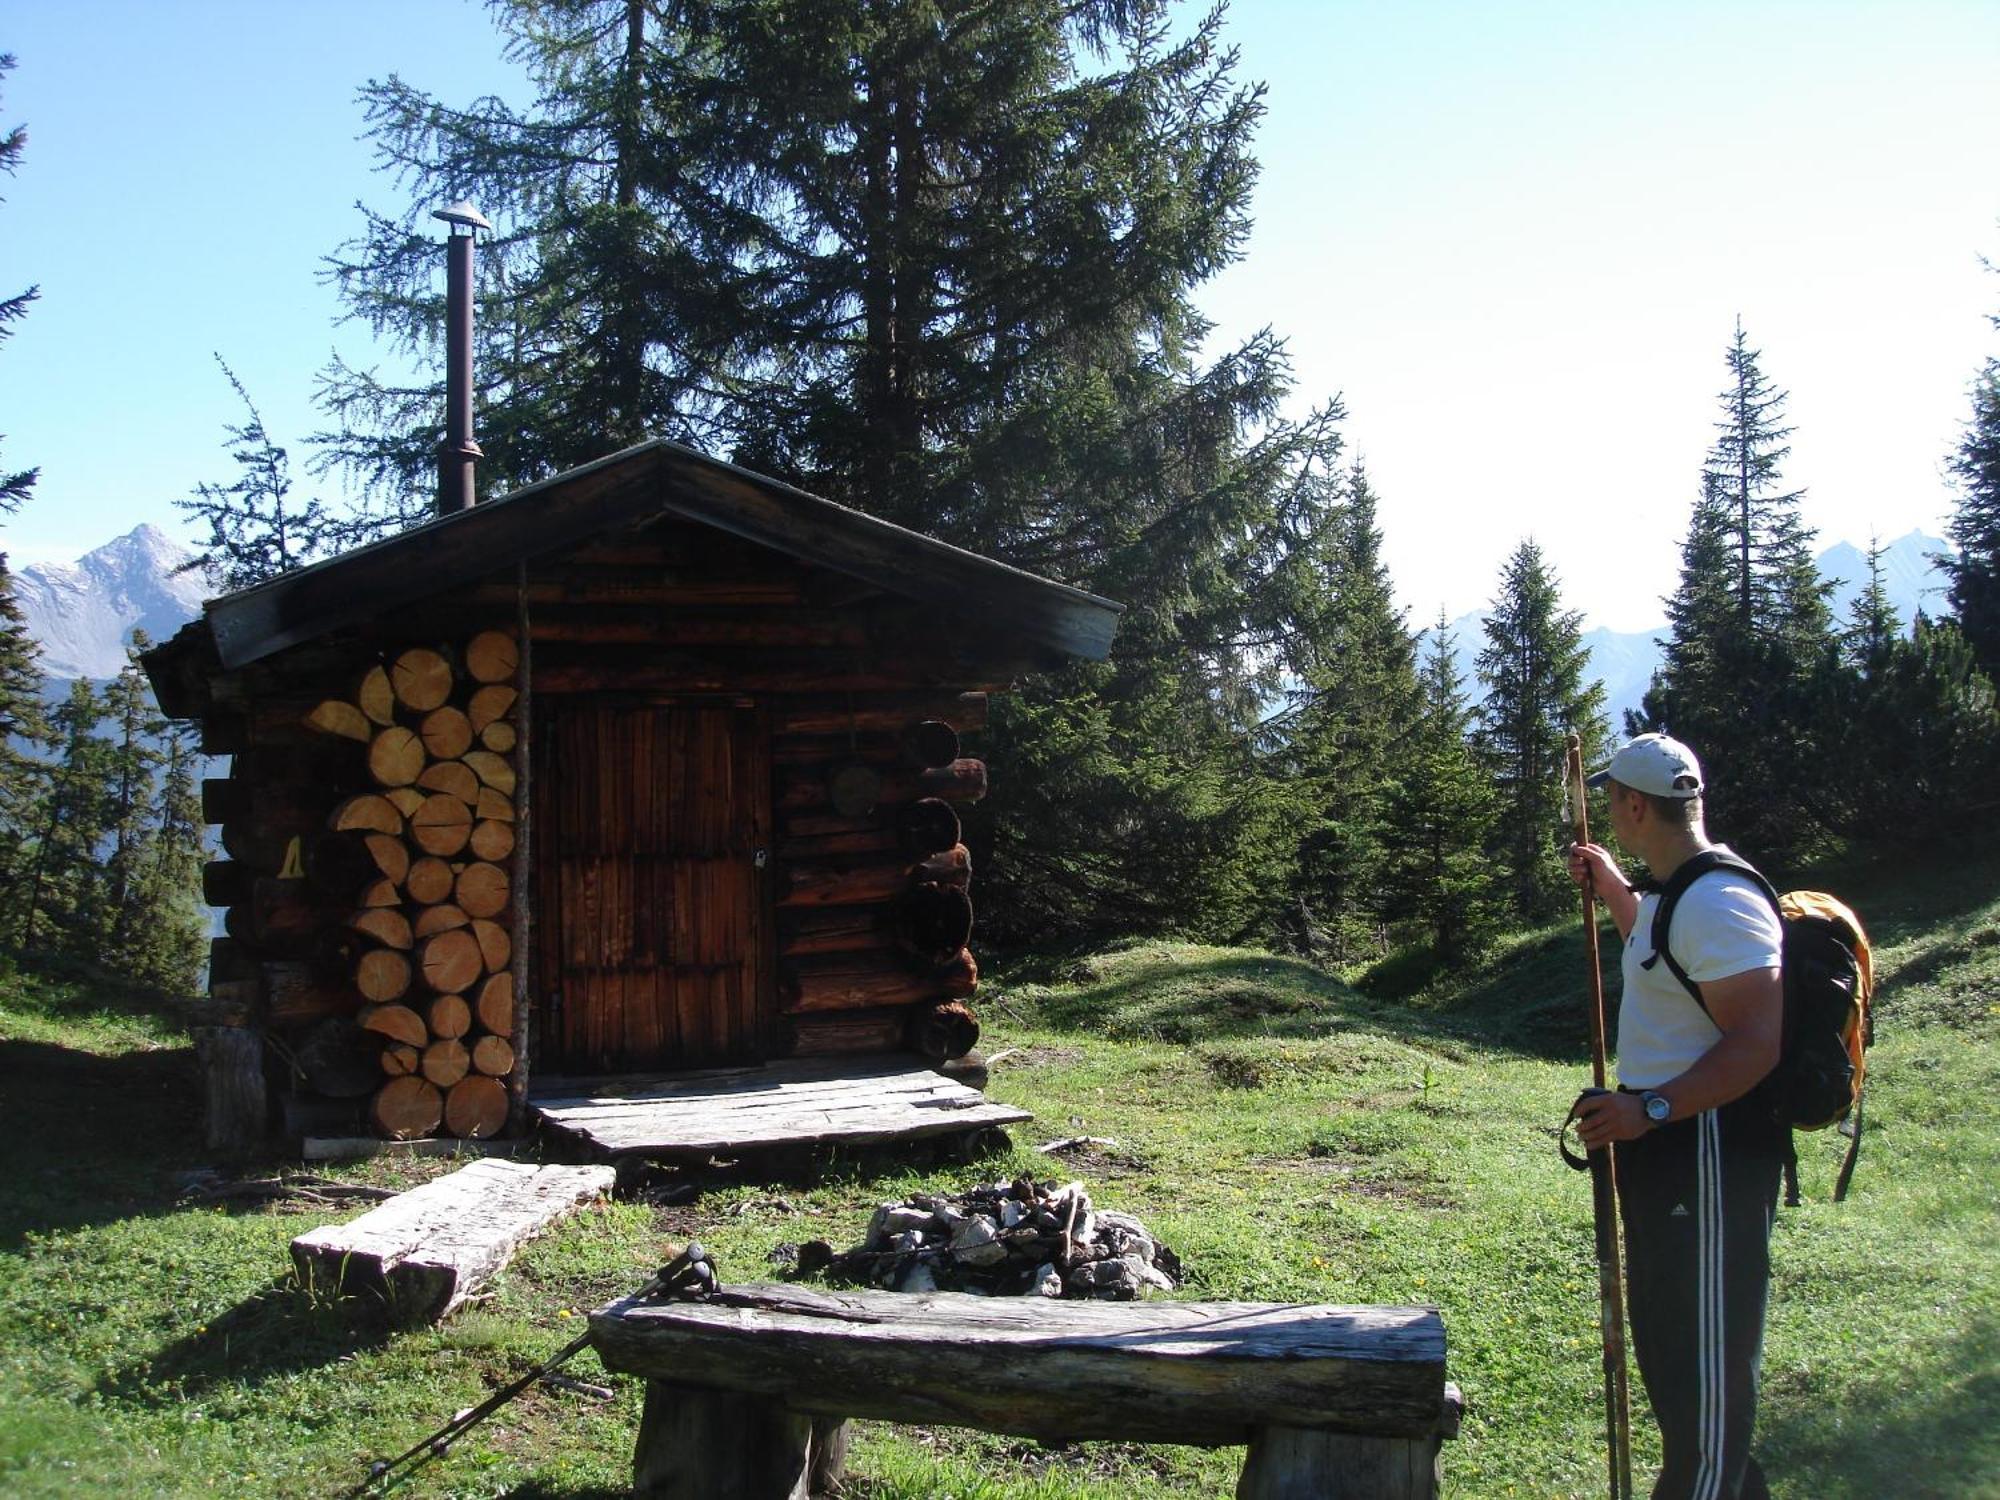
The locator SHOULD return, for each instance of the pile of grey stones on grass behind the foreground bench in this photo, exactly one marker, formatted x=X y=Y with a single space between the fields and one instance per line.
x=1007 y=1239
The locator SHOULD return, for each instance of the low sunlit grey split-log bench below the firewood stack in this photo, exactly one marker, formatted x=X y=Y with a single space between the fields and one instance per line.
x=437 y=1245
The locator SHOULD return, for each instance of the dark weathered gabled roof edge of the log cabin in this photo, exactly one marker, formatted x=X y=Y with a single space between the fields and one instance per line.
x=641 y=483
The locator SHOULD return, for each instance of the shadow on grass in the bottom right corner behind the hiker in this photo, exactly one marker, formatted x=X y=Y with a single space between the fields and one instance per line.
x=1903 y=1435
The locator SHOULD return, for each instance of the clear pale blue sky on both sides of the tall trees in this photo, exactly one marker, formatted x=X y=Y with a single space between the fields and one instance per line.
x=1513 y=239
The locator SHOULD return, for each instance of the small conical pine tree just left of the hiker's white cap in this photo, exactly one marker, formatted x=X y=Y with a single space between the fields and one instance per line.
x=1535 y=673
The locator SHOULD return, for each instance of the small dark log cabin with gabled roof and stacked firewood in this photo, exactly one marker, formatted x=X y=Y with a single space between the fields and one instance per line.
x=649 y=769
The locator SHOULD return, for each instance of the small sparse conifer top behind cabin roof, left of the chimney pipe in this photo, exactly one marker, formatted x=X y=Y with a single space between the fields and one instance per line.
x=255 y=531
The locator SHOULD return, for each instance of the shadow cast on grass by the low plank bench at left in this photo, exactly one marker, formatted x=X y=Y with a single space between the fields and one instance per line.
x=273 y=1333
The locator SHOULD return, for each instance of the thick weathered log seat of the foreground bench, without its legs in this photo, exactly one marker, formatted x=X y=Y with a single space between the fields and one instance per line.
x=1195 y=1373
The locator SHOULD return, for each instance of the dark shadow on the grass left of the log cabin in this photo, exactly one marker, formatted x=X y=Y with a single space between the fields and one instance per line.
x=93 y=1139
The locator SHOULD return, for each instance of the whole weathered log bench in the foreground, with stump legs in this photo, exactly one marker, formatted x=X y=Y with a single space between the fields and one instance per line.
x=749 y=1393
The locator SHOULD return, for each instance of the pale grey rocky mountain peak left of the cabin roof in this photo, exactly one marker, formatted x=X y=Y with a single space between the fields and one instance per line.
x=83 y=613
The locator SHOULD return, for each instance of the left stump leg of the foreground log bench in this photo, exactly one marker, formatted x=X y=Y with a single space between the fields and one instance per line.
x=711 y=1445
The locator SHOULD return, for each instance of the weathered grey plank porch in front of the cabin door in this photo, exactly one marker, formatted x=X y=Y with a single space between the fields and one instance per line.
x=803 y=1103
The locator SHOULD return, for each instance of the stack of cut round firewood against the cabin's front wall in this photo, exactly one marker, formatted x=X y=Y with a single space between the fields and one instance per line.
x=427 y=859
